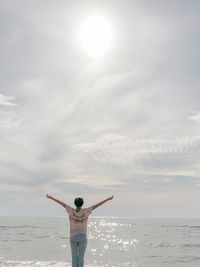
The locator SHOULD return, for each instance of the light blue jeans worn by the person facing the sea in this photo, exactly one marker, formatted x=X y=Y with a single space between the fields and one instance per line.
x=78 y=246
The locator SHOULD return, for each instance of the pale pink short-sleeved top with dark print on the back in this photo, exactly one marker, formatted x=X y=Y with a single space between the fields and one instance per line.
x=78 y=220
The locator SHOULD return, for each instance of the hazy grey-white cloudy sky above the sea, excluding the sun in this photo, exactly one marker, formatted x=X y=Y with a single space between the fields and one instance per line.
x=126 y=123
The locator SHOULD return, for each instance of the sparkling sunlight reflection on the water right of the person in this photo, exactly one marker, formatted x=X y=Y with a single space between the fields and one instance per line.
x=112 y=240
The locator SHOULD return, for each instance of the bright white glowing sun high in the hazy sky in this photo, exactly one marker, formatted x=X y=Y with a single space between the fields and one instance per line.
x=96 y=36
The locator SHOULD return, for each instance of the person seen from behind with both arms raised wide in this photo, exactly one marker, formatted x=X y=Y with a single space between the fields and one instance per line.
x=78 y=219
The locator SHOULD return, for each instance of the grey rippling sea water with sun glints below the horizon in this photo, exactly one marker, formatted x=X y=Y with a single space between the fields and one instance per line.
x=34 y=242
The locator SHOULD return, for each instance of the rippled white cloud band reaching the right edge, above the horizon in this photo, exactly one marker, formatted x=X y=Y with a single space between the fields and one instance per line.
x=145 y=154
